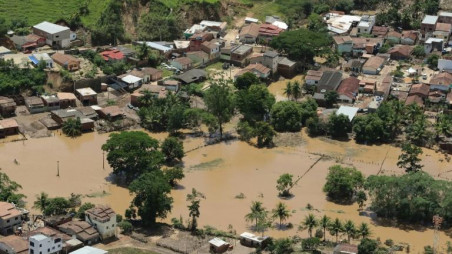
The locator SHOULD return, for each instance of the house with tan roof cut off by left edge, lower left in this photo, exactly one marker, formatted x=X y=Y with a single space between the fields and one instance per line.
x=10 y=216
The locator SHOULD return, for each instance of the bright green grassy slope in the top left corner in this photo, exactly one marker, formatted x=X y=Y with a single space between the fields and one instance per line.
x=37 y=11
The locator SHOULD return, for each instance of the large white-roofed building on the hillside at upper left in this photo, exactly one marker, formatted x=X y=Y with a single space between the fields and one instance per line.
x=56 y=36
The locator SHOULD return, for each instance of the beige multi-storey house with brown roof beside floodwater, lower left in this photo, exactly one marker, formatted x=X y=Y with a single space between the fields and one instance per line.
x=103 y=218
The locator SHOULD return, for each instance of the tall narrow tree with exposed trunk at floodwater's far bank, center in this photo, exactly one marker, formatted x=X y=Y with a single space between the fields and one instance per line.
x=220 y=103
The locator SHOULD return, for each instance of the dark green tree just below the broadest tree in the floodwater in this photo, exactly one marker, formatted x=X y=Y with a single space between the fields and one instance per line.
x=151 y=191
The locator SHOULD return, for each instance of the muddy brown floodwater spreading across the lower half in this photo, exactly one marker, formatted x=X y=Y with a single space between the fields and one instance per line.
x=221 y=172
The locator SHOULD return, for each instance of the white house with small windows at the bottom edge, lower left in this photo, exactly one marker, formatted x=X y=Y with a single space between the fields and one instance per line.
x=41 y=244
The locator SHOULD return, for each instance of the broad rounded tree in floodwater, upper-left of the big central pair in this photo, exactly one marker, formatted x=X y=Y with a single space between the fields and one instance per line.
x=132 y=153
